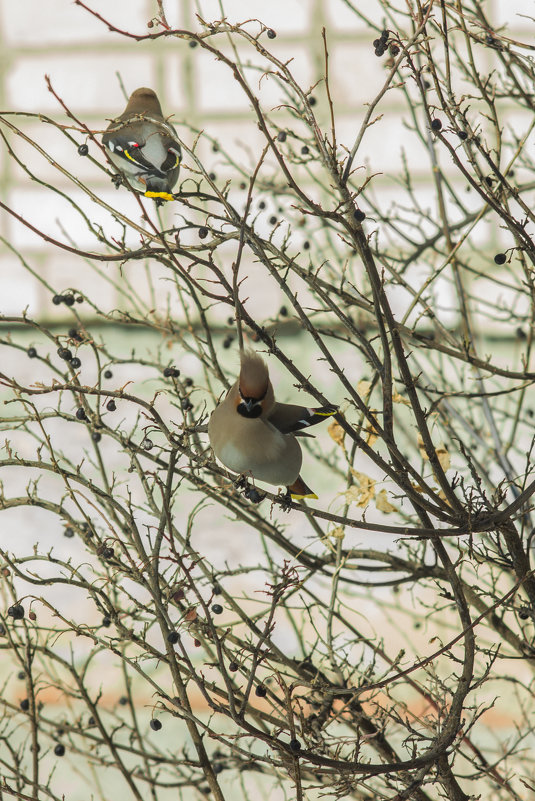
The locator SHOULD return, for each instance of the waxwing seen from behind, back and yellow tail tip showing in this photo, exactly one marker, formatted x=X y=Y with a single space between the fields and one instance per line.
x=144 y=147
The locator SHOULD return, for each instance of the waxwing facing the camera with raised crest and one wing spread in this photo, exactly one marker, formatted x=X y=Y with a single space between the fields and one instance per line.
x=255 y=436
